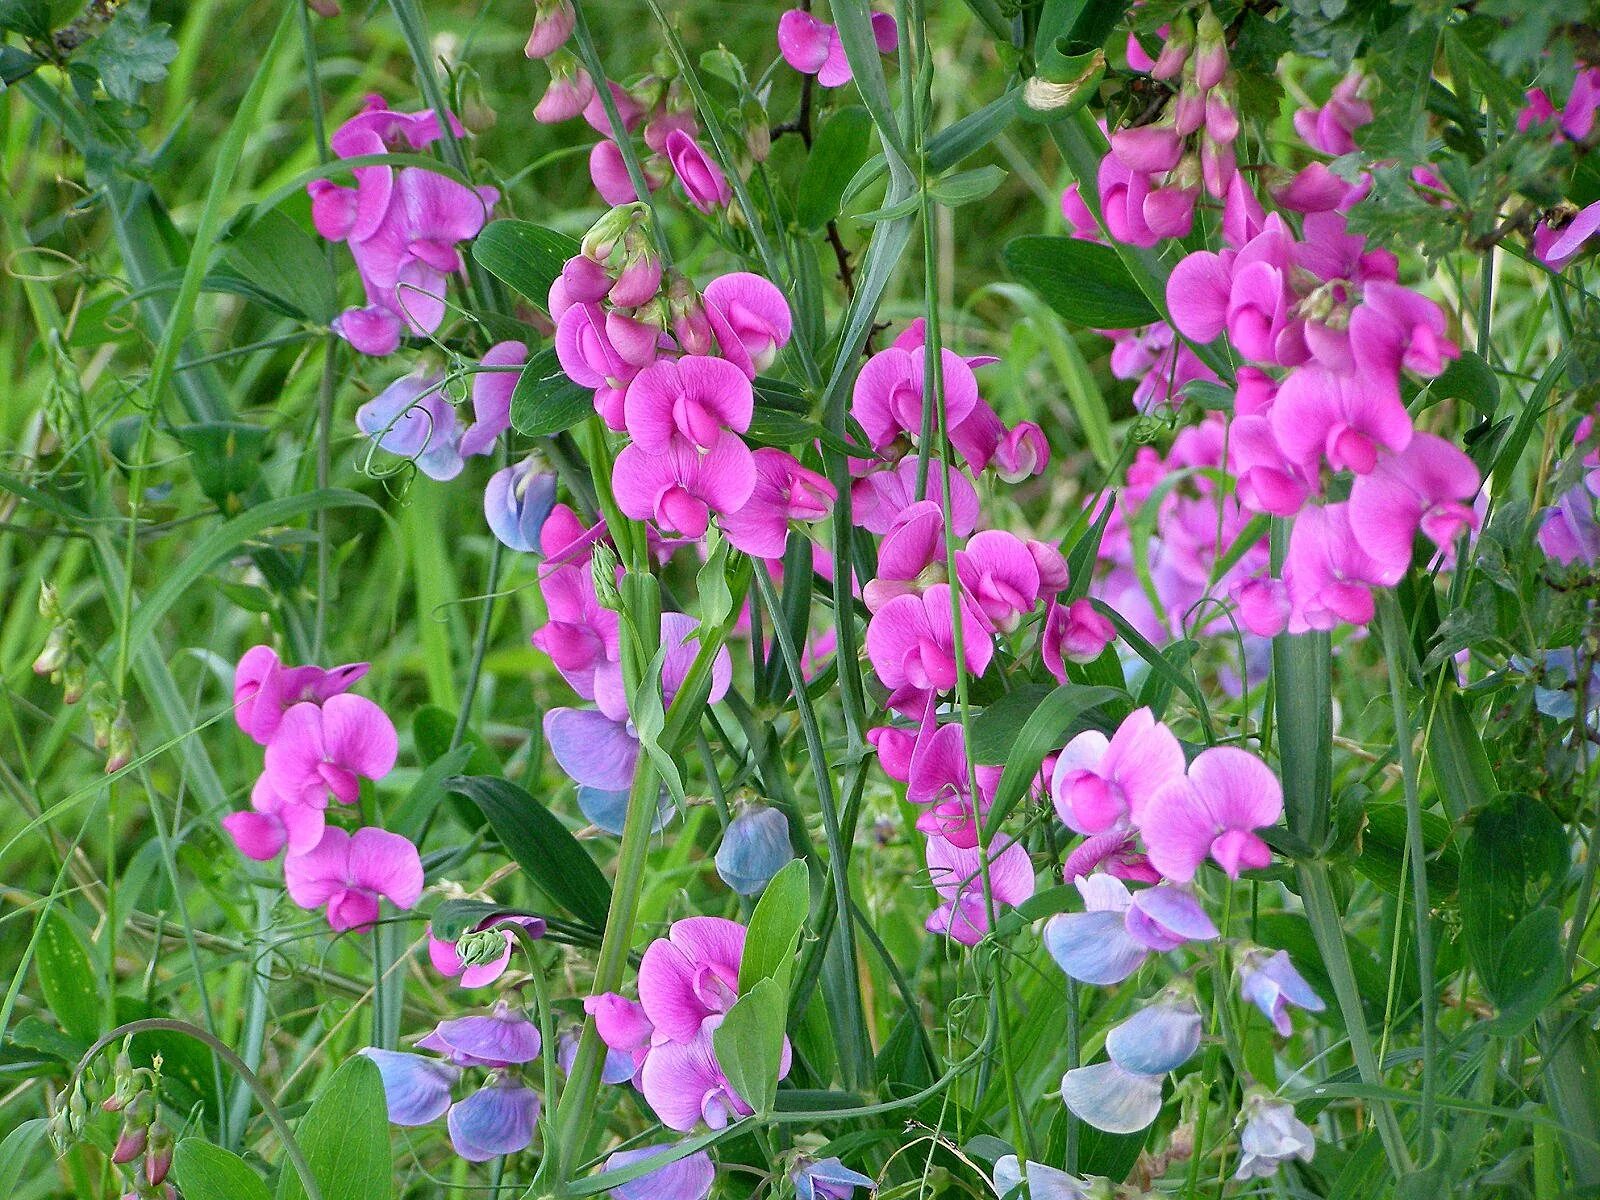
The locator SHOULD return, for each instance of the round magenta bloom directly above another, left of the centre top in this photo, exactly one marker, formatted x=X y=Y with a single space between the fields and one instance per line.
x=687 y=404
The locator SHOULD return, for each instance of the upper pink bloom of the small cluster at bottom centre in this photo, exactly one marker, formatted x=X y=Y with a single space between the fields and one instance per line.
x=690 y=977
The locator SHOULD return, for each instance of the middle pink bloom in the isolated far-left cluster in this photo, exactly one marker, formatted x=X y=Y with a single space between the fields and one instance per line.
x=329 y=750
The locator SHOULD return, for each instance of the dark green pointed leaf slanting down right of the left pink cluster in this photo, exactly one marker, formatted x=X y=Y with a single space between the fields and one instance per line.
x=542 y=846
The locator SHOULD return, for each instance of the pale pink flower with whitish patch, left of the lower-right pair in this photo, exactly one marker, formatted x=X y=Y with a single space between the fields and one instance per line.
x=1102 y=785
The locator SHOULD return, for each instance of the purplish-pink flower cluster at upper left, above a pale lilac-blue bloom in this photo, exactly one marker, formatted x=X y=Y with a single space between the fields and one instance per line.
x=402 y=225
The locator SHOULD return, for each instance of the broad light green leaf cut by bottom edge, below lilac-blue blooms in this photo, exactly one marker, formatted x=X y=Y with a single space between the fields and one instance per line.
x=346 y=1138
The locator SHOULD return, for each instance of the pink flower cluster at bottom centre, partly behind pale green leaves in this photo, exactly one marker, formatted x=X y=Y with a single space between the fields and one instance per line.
x=687 y=983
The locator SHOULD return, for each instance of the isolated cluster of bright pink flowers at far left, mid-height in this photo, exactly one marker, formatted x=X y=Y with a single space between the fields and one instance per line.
x=321 y=742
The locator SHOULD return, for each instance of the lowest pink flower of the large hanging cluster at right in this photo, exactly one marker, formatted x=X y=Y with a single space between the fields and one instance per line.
x=1329 y=574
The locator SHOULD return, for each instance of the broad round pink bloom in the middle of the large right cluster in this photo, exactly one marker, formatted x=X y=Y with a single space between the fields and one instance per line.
x=1321 y=414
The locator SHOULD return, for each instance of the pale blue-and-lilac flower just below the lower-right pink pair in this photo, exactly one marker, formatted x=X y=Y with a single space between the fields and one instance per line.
x=1118 y=930
